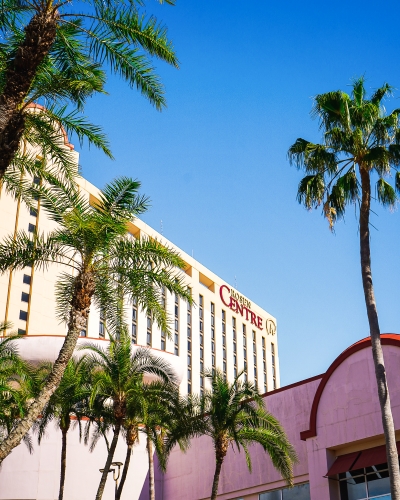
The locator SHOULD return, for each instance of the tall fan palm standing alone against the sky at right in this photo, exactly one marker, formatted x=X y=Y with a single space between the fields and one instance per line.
x=360 y=141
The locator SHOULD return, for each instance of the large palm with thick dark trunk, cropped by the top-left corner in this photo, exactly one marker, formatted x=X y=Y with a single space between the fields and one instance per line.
x=72 y=34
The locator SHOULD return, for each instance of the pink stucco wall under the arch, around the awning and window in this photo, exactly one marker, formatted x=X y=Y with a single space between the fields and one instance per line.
x=349 y=414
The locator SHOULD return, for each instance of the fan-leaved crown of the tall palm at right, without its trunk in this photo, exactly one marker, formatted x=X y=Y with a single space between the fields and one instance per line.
x=358 y=134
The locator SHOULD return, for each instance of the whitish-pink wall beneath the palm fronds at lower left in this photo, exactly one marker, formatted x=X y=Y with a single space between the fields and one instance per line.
x=37 y=476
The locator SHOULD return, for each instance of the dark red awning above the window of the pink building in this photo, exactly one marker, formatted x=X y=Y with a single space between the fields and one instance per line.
x=359 y=460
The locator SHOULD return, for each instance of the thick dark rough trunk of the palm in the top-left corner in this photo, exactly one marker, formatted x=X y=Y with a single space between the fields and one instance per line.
x=40 y=34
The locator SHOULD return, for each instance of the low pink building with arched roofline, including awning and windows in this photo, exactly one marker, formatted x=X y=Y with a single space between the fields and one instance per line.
x=334 y=422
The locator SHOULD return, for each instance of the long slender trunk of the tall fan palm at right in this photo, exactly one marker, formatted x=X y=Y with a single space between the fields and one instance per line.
x=377 y=352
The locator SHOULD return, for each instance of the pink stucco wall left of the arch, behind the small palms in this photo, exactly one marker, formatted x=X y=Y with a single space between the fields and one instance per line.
x=189 y=476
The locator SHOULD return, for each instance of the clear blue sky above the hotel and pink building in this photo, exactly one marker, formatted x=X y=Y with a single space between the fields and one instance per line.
x=214 y=163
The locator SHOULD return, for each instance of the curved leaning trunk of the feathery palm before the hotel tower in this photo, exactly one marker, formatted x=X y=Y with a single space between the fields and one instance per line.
x=80 y=304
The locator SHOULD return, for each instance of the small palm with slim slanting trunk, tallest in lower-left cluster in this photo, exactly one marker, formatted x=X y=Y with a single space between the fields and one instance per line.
x=116 y=373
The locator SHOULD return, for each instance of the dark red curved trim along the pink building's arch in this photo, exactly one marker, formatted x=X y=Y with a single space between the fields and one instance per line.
x=386 y=339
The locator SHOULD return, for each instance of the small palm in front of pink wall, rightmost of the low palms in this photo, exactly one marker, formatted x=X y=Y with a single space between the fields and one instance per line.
x=234 y=414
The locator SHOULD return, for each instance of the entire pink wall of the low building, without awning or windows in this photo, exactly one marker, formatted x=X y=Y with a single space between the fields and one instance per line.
x=347 y=419
